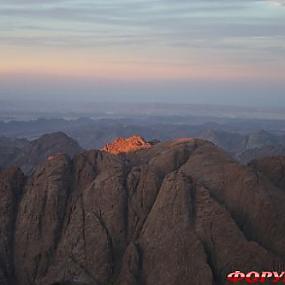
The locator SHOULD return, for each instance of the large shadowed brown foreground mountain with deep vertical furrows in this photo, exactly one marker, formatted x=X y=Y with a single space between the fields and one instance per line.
x=180 y=212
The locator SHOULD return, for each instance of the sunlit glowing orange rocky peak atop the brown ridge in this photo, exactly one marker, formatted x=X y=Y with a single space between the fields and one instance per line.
x=130 y=144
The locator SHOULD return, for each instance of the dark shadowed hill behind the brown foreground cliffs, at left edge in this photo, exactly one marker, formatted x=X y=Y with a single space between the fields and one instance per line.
x=28 y=154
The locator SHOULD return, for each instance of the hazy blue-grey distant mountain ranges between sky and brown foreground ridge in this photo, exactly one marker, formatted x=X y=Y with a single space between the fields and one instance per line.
x=242 y=139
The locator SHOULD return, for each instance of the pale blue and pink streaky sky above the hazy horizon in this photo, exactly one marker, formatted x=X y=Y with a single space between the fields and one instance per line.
x=188 y=51
